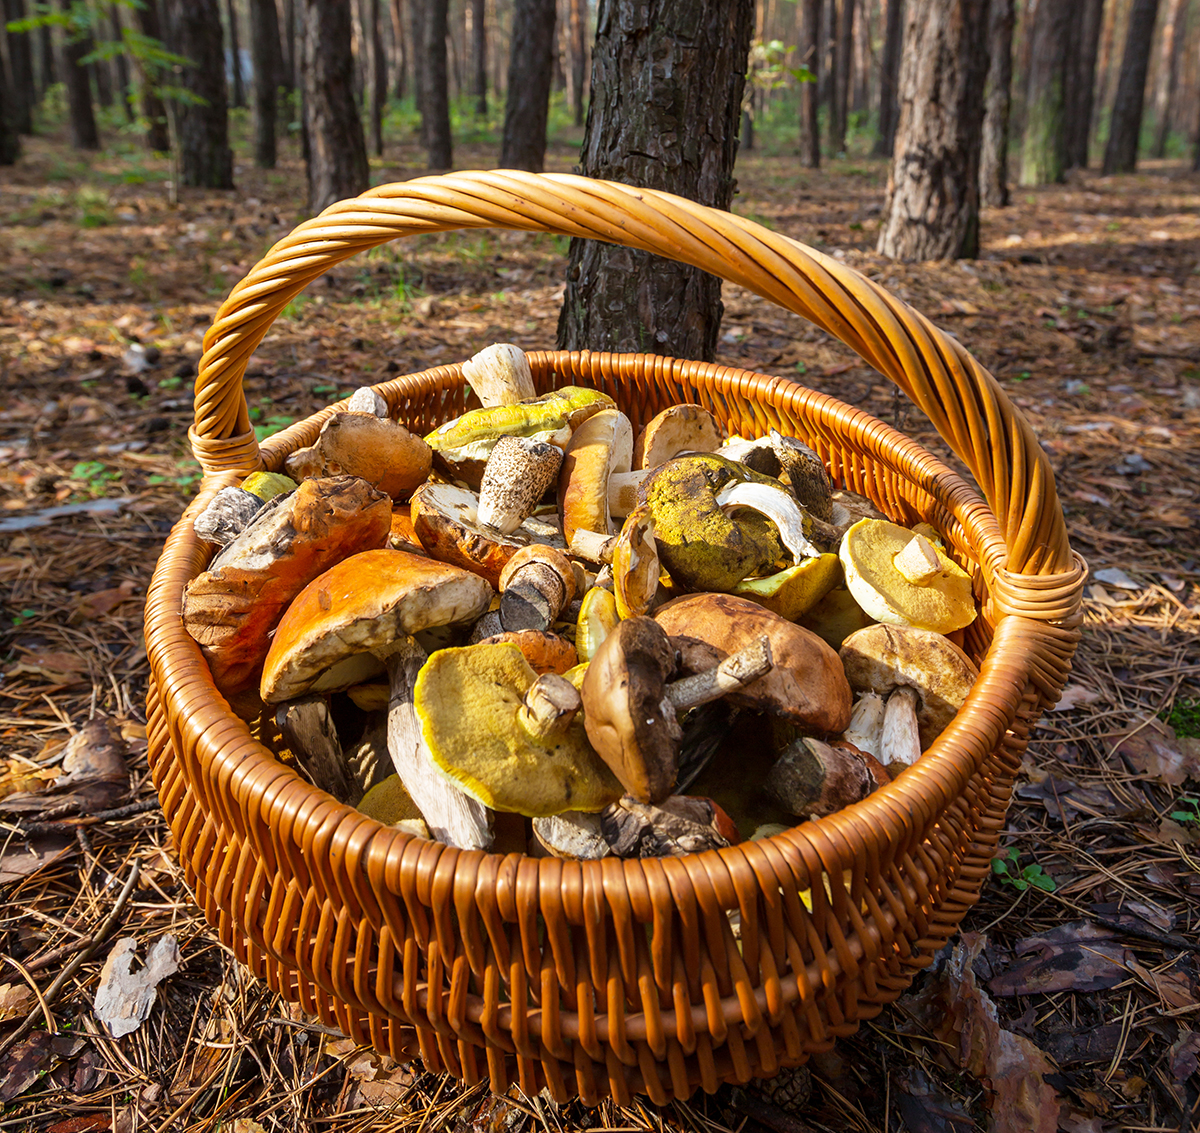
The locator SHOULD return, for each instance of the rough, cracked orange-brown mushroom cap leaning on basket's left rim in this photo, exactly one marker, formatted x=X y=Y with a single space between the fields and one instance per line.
x=232 y=609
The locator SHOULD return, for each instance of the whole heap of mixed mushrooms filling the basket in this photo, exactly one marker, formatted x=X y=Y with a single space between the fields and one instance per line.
x=533 y=631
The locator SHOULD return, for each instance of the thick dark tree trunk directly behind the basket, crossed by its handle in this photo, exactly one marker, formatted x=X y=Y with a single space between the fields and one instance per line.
x=668 y=79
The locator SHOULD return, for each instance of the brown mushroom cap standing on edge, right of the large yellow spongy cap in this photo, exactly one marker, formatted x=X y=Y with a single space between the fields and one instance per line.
x=628 y=718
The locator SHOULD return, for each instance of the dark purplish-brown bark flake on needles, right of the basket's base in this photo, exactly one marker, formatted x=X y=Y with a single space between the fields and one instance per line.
x=1077 y=957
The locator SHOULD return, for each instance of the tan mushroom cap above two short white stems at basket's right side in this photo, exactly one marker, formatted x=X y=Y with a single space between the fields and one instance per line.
x=884 y=658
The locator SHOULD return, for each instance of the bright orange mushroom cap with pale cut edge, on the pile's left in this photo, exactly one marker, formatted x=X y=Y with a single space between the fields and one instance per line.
x=364 y=603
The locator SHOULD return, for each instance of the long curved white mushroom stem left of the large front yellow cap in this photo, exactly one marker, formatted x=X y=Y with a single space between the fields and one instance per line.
x=453 y=817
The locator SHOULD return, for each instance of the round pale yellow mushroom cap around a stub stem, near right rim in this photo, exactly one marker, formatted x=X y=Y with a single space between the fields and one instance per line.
x=868 y=551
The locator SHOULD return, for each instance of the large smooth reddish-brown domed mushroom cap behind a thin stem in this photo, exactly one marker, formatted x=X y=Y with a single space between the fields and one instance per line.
x=807 y=684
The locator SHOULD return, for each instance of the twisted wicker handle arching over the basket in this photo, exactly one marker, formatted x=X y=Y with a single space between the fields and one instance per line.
x=965 y=404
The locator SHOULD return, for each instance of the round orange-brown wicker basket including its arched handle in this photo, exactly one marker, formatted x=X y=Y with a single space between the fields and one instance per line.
x=622 y=978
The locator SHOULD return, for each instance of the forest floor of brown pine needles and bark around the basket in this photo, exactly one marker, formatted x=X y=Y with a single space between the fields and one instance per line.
x=1085 y=304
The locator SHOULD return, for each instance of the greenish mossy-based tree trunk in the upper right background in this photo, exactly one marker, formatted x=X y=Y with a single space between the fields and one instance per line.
x=1045 y=146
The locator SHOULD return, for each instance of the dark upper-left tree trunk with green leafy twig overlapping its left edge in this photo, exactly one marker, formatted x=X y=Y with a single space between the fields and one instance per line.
x=206 y=160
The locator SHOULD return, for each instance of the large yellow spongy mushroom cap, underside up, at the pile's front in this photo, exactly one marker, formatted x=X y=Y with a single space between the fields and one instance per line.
x=484 y=734
